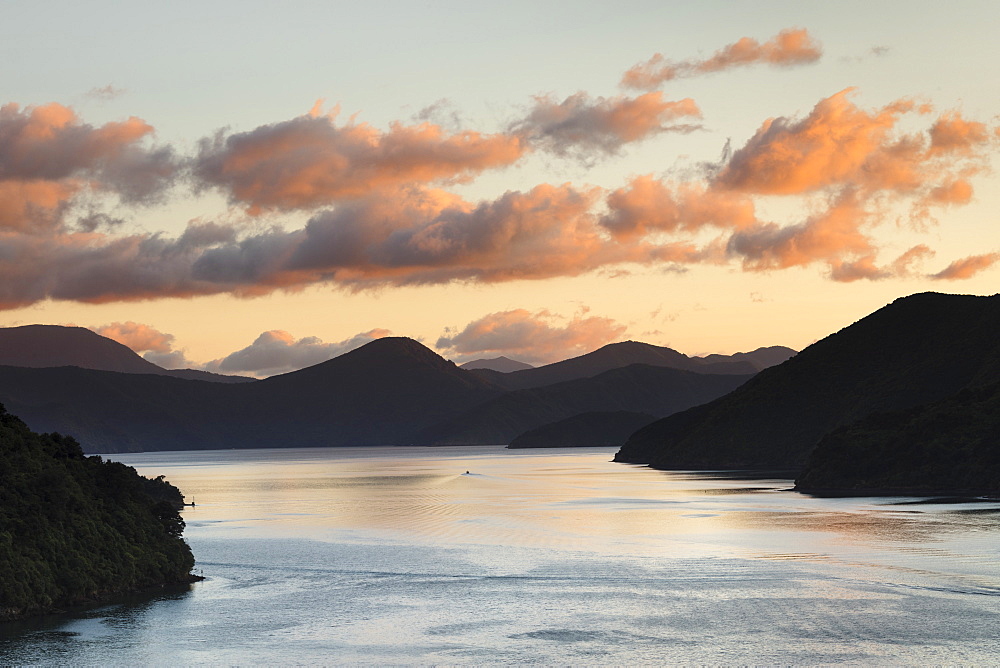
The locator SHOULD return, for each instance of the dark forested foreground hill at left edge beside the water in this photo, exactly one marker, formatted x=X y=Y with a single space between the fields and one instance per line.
x=76 y=529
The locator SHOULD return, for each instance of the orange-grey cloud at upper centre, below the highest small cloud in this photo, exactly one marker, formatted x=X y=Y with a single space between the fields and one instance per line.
x=579 y=125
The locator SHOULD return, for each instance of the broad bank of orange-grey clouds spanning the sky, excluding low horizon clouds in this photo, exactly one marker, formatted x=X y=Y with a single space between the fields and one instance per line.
x=380 y=210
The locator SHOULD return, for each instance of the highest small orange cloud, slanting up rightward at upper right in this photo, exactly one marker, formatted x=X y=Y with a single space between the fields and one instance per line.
x=787 y=48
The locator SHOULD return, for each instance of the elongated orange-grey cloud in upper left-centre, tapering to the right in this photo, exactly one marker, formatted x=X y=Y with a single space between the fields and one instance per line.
x=310 y=161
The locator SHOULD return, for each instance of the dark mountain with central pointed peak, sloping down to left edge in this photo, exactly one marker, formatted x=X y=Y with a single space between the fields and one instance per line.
x=375 y=395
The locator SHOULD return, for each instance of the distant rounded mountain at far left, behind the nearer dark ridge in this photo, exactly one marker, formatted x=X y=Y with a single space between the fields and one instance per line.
x=42 y=346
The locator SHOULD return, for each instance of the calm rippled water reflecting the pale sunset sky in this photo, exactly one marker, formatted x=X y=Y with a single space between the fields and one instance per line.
x=397 y=555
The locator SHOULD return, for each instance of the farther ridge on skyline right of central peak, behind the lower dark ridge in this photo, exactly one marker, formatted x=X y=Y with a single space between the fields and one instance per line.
x=618 y=355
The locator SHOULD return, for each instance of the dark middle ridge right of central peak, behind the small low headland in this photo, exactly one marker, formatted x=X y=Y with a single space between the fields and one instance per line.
x=637 y=388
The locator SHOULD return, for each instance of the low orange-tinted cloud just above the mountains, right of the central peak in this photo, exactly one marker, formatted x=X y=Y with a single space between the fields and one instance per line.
x=531 y=337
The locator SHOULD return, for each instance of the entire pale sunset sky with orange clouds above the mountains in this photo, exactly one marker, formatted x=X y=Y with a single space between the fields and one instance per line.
x=253 y=187
